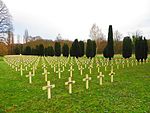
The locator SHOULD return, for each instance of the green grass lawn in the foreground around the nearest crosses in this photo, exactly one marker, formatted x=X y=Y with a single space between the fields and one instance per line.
x=130 y=91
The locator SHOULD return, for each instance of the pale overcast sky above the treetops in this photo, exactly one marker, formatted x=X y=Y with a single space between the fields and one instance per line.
x=74 y=18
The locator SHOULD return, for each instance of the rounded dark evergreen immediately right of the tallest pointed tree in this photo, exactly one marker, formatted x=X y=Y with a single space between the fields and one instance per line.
x=127 y=47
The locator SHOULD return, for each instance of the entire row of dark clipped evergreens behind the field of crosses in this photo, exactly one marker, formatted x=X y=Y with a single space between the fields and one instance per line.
x=139 y=46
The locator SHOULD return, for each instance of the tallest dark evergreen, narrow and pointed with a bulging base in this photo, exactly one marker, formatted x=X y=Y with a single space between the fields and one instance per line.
x=109 y=49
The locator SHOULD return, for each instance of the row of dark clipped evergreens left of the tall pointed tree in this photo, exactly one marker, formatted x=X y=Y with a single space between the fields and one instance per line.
x=77 y=49
